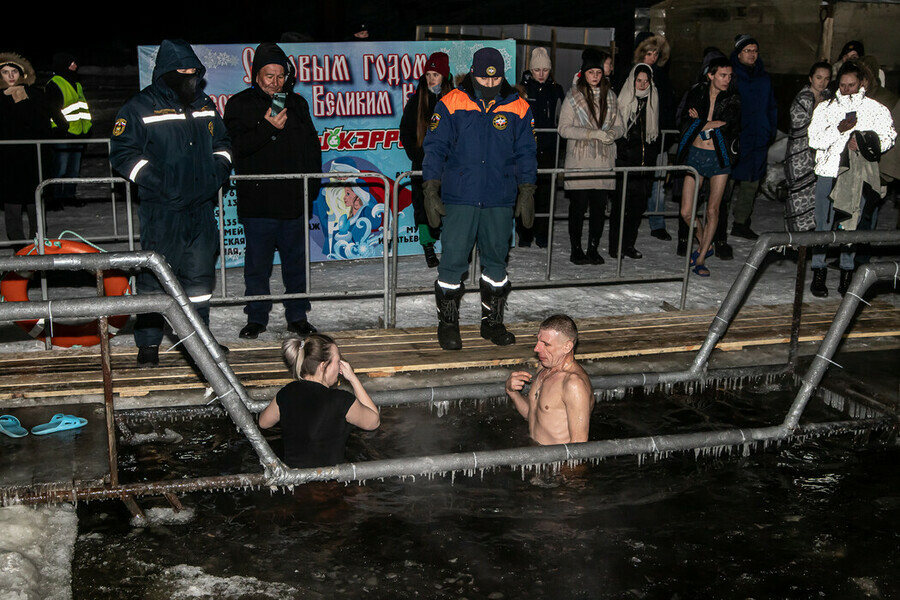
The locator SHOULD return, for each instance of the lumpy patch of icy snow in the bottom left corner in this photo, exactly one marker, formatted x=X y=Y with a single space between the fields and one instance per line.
x=36 y=549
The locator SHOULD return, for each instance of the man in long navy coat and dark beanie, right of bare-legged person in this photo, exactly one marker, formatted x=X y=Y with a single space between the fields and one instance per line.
x=758 y=127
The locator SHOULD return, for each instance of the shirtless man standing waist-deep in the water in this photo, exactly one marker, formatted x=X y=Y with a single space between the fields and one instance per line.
x=558 y=406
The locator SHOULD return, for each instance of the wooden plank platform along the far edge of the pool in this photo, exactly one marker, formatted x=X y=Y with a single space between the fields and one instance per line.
x=382 y=353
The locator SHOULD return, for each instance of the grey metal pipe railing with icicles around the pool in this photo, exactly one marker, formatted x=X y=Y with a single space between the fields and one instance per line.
x=202 y=347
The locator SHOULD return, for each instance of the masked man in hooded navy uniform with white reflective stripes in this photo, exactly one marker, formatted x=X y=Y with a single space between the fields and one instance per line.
x=171 y=142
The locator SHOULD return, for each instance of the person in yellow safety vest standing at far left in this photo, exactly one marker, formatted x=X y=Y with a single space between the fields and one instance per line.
x=70 y=119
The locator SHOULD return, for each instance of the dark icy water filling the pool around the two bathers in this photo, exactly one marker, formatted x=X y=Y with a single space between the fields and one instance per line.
x=816 y=520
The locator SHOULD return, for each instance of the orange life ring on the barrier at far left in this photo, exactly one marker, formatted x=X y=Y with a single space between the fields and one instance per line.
x=14 y=288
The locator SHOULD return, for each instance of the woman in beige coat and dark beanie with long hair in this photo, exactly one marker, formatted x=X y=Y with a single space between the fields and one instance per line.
x=589 y=123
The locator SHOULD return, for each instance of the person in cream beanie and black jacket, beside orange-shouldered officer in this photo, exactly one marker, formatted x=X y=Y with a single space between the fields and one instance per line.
x=544 y=96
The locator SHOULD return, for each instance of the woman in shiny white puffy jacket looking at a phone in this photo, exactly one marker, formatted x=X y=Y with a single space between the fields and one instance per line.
x=830 y=131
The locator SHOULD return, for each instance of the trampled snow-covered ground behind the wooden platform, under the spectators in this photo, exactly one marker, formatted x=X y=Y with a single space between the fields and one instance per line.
x=774 y=285
